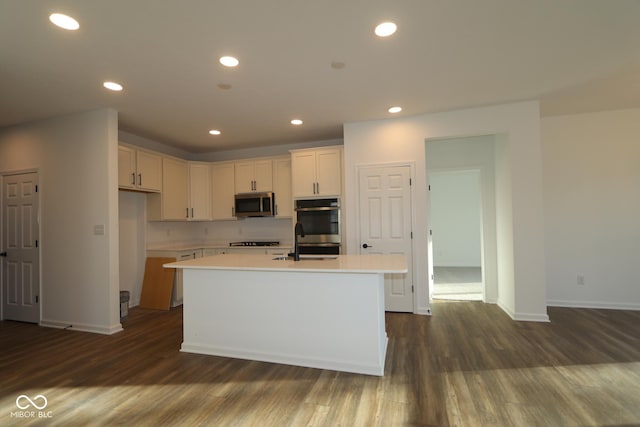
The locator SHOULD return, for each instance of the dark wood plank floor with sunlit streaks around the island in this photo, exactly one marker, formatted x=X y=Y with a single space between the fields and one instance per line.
x=466 y=365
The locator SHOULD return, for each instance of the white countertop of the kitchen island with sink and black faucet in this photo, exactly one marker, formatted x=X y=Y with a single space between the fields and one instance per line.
x=312 y=263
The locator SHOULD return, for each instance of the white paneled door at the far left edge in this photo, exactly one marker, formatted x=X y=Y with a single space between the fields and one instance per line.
x=20 y=260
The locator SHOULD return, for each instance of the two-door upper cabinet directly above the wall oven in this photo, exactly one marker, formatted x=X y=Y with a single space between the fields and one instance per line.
x=316 y=172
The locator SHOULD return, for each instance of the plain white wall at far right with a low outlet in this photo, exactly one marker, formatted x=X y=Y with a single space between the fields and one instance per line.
x=592 y=208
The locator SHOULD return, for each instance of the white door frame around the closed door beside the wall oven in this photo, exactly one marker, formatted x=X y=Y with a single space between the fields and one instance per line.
x=412 y=173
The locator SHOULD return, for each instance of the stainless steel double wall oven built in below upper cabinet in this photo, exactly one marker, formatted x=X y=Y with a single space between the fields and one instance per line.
x=320 y=219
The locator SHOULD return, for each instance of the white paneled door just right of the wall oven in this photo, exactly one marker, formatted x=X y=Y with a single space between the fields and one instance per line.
x=385 y=226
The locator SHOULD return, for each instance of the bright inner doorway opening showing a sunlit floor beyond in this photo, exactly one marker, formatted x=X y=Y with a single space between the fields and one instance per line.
x=456 y=235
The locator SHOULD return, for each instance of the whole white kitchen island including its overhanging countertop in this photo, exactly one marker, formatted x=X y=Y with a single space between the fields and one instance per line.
x=322 y=313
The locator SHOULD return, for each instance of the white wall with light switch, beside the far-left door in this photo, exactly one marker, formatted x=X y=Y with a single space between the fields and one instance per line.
x=76 y=157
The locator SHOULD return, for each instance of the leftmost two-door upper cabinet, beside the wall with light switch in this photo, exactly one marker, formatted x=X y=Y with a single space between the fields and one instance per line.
x=139 y=169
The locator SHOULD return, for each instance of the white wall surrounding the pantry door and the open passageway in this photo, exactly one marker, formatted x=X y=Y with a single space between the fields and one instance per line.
x=403 y=139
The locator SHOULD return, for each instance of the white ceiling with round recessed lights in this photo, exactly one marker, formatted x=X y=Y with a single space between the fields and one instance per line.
x=574 y=55
